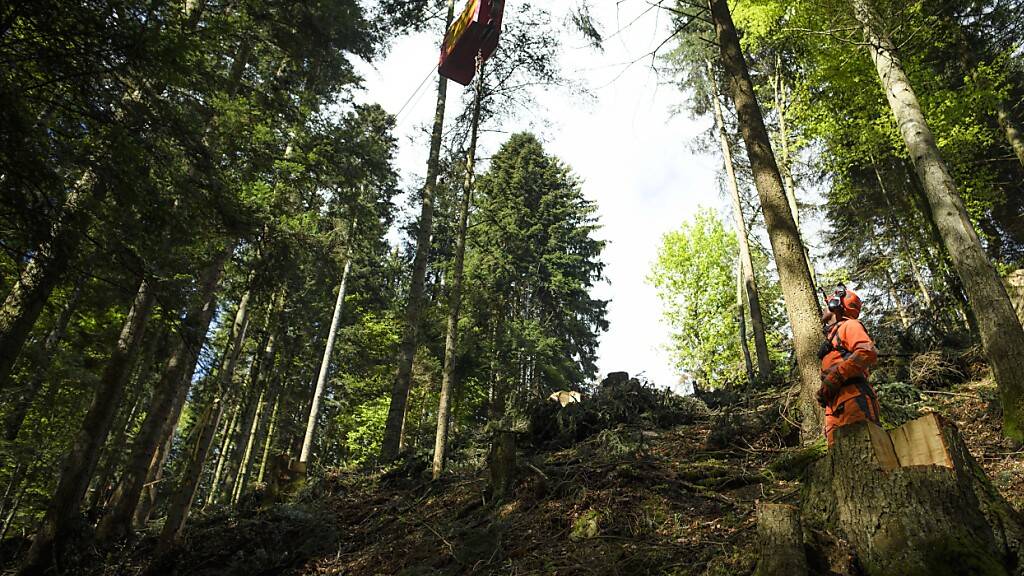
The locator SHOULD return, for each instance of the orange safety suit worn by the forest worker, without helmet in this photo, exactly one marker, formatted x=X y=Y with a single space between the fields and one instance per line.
x=850 y=352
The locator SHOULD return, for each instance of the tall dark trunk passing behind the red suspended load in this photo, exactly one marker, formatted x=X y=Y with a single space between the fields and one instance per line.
x=392 y=444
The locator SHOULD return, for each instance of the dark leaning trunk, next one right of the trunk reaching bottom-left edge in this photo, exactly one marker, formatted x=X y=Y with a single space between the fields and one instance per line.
x=165 y=407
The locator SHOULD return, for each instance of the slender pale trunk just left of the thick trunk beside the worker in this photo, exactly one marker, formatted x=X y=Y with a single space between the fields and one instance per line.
x=747 y=265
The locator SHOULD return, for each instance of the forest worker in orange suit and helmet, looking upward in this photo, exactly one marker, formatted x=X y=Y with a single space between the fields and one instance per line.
x=847 y=357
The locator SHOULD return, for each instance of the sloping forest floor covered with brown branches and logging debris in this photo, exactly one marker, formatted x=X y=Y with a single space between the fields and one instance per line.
x=632 y=500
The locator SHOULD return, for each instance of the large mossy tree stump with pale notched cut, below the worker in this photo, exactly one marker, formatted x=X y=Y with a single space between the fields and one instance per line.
x=912 y=502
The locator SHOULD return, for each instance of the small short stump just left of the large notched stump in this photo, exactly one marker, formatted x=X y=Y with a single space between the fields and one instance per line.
x=782 y=542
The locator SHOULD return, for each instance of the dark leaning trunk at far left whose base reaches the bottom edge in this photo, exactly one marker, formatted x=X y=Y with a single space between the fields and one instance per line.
x=81 y=463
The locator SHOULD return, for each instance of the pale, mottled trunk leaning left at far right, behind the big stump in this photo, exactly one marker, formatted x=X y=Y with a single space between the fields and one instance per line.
x=1002 y=335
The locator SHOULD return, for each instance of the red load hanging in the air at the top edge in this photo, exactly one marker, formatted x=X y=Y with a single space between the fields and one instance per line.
x=476 y=32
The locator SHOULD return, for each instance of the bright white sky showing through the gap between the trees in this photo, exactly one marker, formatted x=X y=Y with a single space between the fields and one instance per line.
x=634 y=157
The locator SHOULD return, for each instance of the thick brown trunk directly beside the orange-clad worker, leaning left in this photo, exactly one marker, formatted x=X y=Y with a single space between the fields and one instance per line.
x=798 y=289
